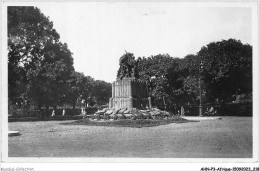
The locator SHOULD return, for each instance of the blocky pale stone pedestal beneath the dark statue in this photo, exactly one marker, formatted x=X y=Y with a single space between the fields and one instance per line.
x=129 y=93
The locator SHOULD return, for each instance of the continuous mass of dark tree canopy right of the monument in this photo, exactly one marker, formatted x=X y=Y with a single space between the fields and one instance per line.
x=224 y=67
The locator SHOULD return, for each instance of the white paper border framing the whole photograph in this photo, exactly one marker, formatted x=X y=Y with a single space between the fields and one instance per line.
x=130 y=164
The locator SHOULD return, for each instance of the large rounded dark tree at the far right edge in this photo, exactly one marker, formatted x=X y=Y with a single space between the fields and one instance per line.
x=227 y=68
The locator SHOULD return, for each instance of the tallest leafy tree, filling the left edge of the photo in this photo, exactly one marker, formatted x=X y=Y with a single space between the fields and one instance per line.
x=38 y=63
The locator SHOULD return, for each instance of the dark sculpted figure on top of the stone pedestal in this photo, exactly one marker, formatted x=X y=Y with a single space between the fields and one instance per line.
x=127 y=67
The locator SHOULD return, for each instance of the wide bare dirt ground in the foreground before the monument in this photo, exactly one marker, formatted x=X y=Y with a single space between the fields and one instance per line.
x=230 y=137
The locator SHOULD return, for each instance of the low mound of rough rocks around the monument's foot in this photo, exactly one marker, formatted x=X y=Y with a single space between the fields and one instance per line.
x=125 y=113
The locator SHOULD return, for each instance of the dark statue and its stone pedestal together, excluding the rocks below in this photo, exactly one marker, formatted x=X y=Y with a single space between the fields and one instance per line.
x=127 y=91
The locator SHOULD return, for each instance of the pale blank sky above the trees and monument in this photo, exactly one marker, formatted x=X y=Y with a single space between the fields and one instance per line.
x=99 y=33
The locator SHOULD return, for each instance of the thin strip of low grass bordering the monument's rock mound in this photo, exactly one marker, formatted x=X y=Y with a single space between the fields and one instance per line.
x=139 y=123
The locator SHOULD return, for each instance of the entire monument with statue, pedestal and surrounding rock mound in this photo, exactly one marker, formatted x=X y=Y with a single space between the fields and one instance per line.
x=129 y=95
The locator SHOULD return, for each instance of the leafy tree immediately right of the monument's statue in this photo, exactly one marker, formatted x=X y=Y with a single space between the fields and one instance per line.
x=163 y=77
